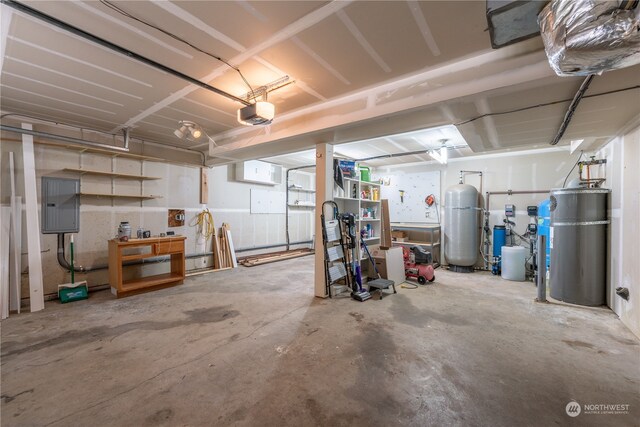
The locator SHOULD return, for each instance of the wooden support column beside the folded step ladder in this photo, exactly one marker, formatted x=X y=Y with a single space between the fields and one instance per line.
x=324 y=191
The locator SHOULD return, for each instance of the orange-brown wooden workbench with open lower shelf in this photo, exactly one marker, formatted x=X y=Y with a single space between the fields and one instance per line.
x=138 y=249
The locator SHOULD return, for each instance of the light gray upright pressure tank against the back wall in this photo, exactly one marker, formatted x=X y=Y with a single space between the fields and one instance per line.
x=461 y=227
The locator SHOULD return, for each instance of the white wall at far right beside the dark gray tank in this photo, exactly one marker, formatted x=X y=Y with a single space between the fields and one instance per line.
x=623 y=172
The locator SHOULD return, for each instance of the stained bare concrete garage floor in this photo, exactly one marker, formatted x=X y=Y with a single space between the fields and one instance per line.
x=254 y=347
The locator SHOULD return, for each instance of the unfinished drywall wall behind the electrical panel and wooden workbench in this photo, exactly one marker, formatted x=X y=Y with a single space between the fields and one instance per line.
x=179 y=187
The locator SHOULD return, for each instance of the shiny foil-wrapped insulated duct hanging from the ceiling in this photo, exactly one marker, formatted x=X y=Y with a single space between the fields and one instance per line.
x=590 y=36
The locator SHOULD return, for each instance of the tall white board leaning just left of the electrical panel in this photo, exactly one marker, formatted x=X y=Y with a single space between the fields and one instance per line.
x=36 y=295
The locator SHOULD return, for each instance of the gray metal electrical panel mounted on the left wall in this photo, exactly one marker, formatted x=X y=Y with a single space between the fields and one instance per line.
x=60 y=205
